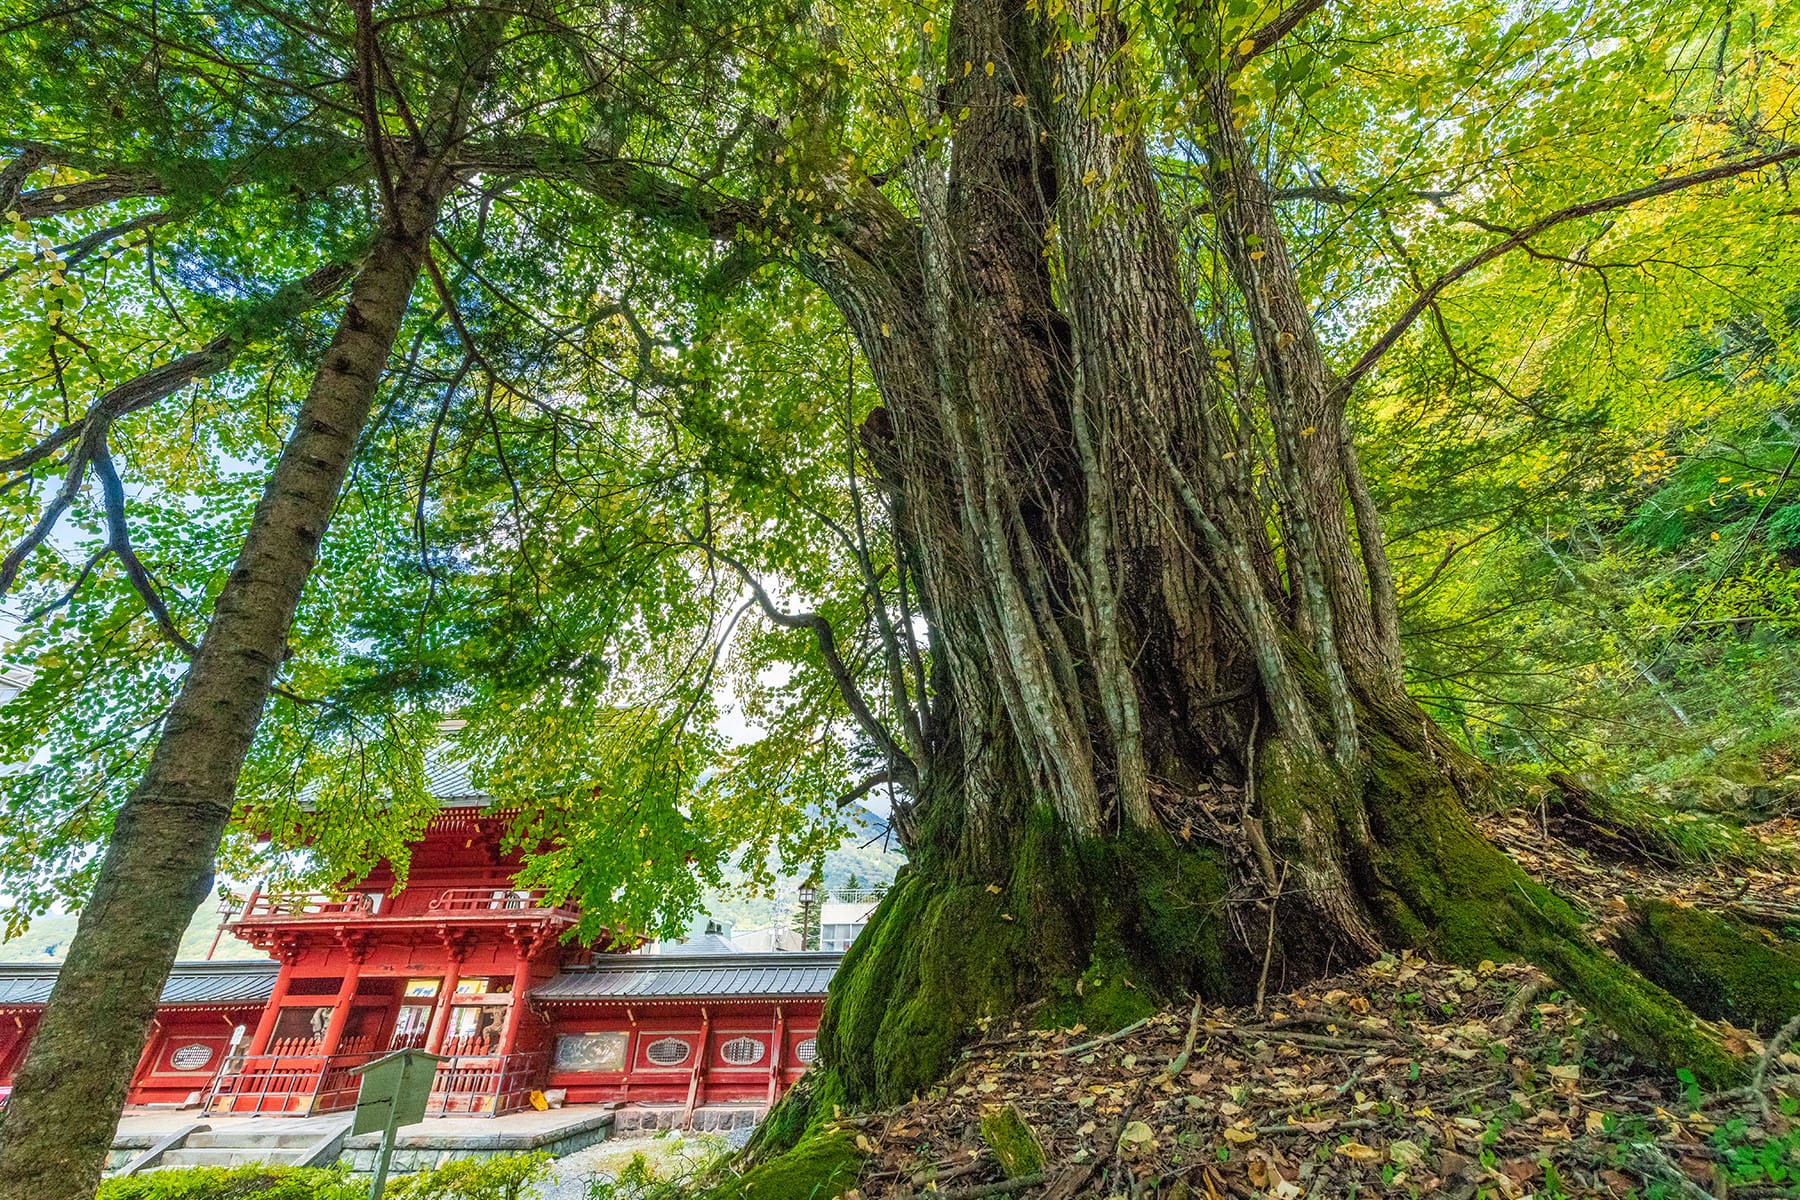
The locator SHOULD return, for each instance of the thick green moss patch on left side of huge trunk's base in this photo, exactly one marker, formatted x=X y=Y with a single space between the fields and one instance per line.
x=1092 y=935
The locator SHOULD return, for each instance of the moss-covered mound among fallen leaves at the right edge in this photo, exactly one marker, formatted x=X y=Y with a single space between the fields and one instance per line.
x=1720 y=969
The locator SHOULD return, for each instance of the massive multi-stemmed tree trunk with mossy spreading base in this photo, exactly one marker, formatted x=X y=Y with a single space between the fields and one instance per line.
x=1167 y=708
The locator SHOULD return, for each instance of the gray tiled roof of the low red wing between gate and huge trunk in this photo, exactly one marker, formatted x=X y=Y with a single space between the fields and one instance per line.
x=678 y=978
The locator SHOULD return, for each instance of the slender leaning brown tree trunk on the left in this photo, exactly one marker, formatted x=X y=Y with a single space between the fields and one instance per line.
x=159 y=861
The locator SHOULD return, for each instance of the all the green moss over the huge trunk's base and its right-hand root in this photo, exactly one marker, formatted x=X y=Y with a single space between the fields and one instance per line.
x=1106 y=931
